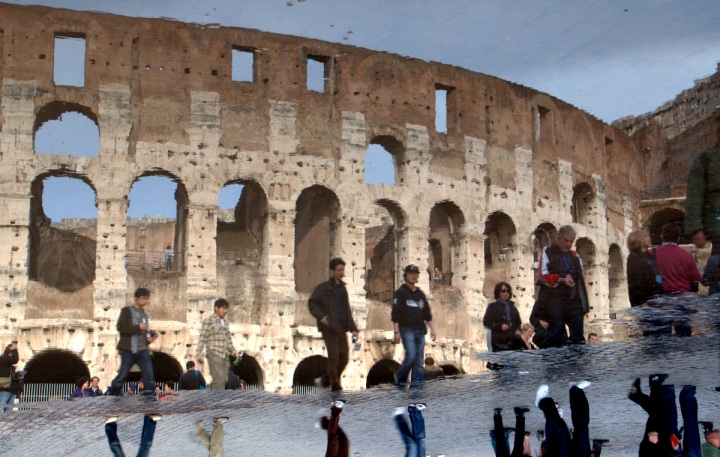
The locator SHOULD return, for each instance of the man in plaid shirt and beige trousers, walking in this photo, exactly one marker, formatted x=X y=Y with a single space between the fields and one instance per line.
x=215 y=338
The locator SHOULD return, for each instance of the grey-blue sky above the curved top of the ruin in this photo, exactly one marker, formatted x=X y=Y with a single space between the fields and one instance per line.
x=610 y=58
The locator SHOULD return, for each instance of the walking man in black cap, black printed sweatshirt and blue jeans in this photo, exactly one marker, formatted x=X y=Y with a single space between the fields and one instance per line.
x=409 y=313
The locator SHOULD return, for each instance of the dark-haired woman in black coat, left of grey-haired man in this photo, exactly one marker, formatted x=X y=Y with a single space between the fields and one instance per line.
x=502 y=318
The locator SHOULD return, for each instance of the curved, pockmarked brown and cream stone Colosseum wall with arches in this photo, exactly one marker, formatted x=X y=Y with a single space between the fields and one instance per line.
x=162 y=95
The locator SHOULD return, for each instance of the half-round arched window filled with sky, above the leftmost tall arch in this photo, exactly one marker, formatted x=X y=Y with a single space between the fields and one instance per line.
x=67 y=128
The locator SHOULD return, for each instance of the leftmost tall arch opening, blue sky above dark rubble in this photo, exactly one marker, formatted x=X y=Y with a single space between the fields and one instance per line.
x=63 y=231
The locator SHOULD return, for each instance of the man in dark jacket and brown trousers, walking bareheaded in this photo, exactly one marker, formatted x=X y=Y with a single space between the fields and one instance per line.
x=330 y=305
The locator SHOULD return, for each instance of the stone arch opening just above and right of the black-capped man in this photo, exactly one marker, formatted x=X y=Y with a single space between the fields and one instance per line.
x=446 y=230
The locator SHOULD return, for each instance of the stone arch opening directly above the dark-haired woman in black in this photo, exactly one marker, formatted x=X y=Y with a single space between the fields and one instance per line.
x=500 y=239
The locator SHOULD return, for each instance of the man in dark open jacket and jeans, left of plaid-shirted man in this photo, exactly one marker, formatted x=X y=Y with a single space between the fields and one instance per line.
x=133 y=345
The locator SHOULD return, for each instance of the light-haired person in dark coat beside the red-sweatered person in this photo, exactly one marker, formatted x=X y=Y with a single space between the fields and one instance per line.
x=641 y=270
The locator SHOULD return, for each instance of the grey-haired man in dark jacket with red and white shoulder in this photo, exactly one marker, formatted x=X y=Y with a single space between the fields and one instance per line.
x=562 y=269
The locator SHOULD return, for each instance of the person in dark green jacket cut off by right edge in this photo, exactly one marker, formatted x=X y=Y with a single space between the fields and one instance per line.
x=702 y=204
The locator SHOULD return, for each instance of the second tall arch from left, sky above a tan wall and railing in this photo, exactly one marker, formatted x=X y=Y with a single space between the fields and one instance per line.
x=157 y=214
